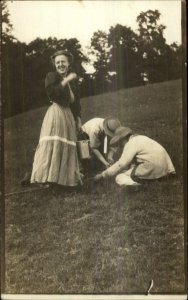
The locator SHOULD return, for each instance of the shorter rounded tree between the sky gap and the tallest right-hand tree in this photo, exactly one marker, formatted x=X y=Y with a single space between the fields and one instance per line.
x=116 y=55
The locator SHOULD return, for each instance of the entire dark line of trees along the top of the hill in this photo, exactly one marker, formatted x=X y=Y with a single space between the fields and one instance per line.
x=123 y=58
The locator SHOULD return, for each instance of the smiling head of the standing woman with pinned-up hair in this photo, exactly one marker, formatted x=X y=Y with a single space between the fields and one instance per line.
x=62 y=61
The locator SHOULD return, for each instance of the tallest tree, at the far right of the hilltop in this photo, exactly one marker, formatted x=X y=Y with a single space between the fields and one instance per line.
x=157 y=57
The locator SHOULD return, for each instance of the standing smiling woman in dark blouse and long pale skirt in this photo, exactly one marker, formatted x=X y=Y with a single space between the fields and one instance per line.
x=56 y=159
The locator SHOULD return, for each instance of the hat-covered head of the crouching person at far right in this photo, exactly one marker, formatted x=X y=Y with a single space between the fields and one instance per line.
x=121 y=136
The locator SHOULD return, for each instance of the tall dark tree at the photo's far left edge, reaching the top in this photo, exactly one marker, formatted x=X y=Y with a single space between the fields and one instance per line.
x=12 y=62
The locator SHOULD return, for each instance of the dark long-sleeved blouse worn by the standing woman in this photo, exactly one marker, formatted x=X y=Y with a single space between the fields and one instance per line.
x=61 y=95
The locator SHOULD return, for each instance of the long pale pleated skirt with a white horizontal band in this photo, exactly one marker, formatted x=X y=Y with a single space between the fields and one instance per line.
x=56 y=157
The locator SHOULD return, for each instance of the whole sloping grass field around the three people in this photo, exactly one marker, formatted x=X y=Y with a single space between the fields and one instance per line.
x=100 y=239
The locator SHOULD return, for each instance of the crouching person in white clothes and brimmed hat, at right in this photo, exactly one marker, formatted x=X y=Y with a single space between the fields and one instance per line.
x=142 y=159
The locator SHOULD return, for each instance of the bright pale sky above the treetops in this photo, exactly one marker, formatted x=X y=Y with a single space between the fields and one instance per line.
x=79 y=19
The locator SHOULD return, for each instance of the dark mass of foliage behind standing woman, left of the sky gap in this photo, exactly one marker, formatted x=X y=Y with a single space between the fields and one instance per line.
x=25 y=67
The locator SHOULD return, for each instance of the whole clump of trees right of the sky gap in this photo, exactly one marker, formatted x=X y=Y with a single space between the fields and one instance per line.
x=136 y=58
